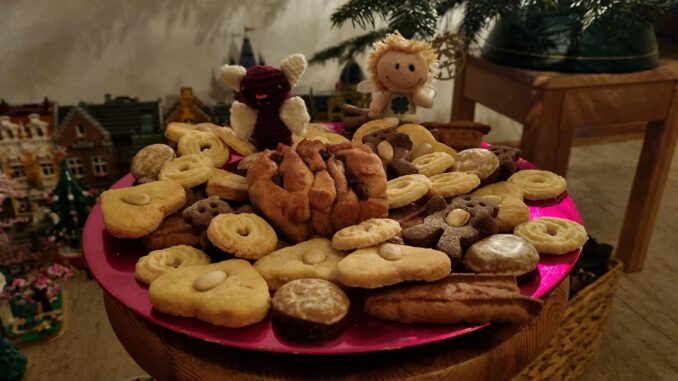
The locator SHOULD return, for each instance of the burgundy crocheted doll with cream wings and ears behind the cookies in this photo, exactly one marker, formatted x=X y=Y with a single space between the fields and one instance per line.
x=264 y=110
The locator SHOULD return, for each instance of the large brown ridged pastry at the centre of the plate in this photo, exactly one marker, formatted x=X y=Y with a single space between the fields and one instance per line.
x=317 y=188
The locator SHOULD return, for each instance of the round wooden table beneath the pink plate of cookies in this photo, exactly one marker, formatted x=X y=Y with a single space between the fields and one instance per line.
x=495 y=353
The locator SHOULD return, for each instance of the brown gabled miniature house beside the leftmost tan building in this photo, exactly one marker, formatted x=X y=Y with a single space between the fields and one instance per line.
x=89 y=150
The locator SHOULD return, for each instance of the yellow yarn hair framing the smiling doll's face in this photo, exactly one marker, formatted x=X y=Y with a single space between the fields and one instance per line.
x=396 y=42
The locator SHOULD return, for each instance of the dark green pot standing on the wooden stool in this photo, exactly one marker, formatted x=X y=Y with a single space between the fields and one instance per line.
x=546 y=42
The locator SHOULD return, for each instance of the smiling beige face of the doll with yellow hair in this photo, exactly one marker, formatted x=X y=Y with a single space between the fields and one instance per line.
x=402 y=72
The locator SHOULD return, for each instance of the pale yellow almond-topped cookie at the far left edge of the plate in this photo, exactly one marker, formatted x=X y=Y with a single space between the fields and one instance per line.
x=134 y=212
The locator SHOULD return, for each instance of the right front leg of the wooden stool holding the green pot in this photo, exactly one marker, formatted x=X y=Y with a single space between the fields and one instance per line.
x=648 y=185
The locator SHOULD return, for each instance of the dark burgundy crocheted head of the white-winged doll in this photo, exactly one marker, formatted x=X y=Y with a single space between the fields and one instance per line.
x=264 y=87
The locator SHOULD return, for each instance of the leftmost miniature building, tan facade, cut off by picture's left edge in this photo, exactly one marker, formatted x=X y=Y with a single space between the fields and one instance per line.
x=27 y=157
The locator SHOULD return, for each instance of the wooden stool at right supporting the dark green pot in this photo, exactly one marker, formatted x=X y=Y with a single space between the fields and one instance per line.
x=551 y=105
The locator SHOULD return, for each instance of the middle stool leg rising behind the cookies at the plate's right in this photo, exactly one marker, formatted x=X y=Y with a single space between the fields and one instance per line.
x=543 y=142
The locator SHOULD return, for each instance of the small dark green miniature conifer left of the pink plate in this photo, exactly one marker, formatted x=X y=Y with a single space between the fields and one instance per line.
x=69 y=208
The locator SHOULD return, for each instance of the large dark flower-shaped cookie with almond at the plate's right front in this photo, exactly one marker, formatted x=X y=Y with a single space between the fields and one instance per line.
x=464 y=221
